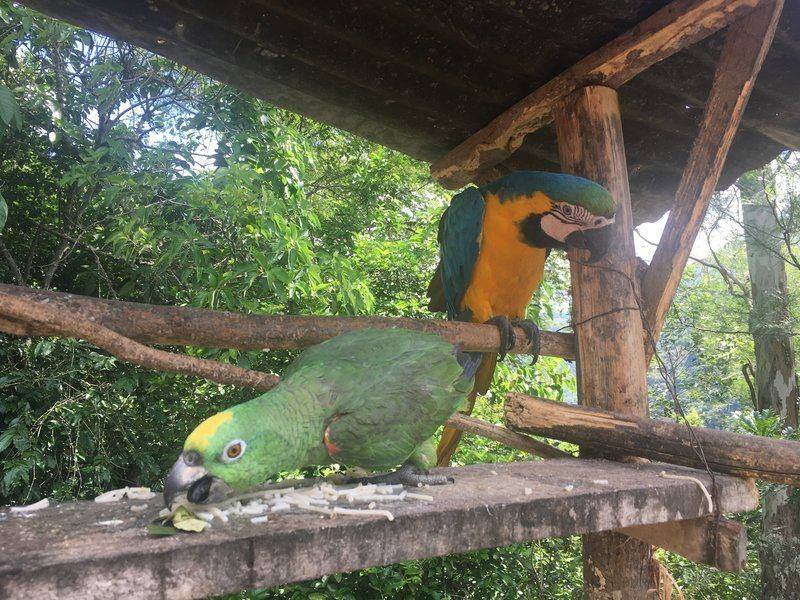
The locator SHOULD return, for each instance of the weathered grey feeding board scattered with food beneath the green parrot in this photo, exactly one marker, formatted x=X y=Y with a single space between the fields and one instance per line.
x=63 y=552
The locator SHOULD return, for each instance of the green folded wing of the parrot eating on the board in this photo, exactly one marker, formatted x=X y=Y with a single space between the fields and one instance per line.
x=388 y=390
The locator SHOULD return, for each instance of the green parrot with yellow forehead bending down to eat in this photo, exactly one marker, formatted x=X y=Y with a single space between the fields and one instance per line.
x=371 y=398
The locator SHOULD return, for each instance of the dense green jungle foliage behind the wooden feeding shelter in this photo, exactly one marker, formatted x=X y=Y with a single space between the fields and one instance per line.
x=126 y=176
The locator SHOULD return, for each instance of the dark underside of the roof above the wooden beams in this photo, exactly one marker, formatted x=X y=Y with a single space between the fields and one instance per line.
x=422 y=75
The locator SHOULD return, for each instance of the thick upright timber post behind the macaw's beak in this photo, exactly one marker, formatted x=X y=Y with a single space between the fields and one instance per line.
x=611 y=360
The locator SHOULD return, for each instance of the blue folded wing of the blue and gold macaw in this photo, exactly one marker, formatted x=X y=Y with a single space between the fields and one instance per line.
x=459 y=244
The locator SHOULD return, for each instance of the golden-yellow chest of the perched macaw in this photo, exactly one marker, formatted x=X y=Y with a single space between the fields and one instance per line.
x=507 y=271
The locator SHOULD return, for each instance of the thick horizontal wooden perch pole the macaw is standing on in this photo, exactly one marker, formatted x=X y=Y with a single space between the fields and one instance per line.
x=172 y=325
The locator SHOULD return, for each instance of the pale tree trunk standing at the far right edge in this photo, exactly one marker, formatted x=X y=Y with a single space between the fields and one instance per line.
x=776 y=390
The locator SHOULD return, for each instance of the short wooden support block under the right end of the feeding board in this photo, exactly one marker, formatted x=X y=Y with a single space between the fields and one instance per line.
x=695 y=539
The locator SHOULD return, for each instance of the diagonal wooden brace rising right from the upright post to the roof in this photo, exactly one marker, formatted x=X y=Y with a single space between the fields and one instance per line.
x=746 y=45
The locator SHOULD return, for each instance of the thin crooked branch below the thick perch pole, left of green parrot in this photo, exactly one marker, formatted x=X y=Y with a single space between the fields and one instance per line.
x=74 y=325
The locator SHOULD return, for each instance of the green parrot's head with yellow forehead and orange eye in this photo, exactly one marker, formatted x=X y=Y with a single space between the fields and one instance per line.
x=229 y=451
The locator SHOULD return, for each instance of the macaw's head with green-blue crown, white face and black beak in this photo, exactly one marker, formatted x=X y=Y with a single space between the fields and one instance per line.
x=565 y=211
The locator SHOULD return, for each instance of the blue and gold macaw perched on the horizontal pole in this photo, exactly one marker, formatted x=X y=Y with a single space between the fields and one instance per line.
x=493 y=243
